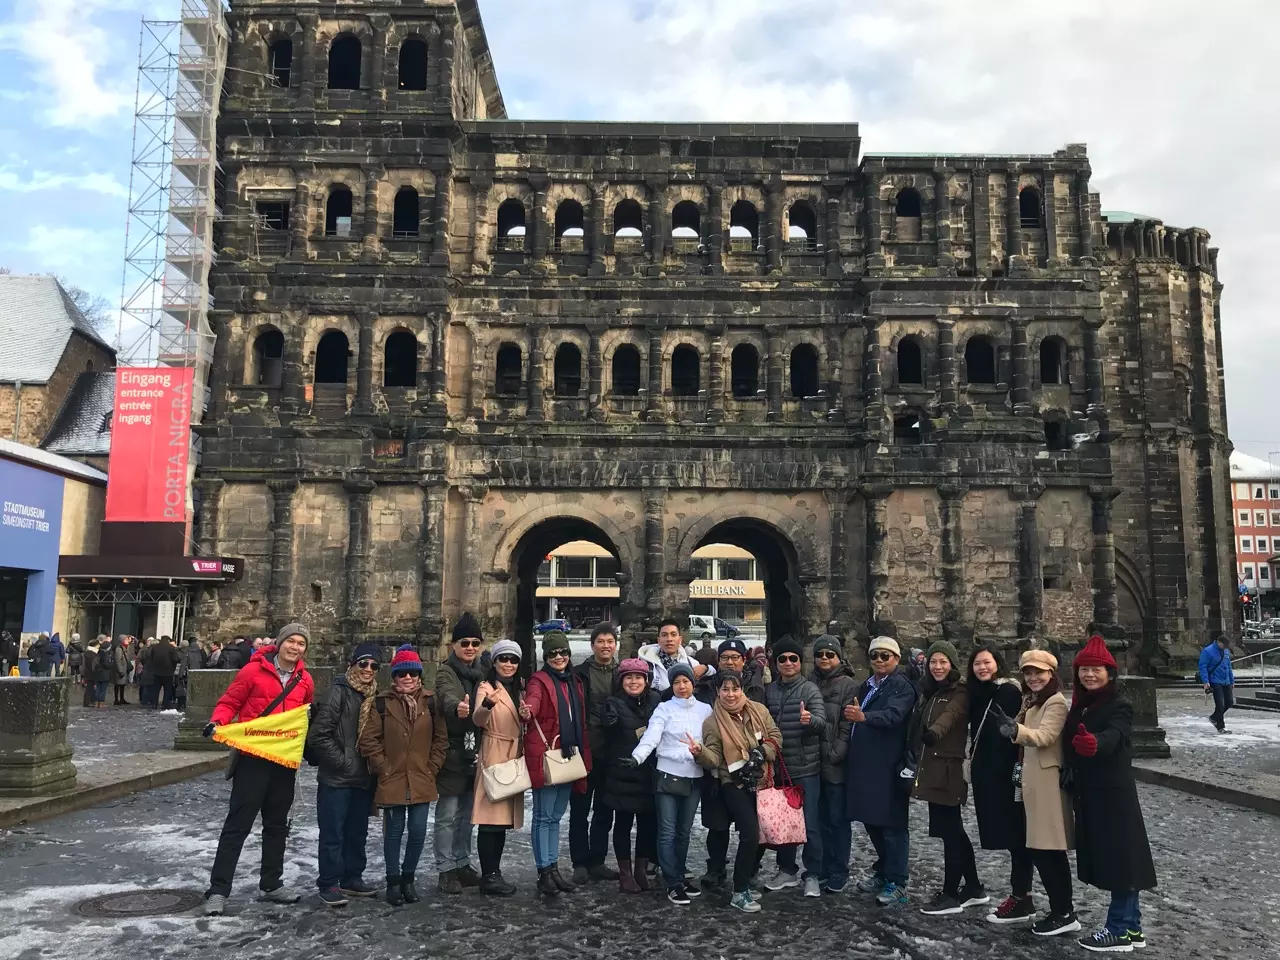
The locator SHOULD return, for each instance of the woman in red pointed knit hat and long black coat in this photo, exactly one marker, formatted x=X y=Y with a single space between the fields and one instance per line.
x=1110 y=836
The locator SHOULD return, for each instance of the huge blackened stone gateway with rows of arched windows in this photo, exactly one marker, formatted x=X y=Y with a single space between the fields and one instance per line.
x=935 y=396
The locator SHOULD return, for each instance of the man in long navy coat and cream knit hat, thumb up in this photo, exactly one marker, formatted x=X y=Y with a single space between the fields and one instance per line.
x=876 y=794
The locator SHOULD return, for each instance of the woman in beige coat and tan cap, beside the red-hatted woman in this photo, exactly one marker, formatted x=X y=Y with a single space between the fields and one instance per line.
x=1039 y=734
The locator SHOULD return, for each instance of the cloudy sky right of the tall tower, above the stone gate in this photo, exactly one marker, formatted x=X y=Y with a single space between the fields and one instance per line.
x=1174 y=98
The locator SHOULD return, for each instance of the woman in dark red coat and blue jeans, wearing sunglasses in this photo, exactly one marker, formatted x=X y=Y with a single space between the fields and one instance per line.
x=555 y=720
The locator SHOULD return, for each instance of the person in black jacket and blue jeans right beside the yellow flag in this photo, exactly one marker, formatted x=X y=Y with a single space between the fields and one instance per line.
x=345 y=789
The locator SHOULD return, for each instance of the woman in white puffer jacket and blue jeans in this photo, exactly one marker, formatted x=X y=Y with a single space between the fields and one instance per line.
x=676 y=733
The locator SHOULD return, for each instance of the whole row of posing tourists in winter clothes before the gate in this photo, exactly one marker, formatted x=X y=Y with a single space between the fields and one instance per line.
x=633 y=749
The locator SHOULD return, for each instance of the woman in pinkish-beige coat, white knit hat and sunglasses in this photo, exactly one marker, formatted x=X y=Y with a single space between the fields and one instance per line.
x=499 y=716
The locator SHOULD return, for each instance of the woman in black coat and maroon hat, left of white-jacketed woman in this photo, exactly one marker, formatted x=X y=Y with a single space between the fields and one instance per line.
x=628 y=788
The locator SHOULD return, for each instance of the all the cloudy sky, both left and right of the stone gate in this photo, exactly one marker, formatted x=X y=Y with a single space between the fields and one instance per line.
x=1177 y=100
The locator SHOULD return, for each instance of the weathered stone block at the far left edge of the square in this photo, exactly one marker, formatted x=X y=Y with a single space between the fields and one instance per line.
x=35 y=757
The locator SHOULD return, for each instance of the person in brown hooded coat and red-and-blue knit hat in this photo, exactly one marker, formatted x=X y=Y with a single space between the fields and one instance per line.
x=406 y=744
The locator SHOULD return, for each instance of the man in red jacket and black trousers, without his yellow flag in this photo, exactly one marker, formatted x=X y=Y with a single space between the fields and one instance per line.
x=258 y=785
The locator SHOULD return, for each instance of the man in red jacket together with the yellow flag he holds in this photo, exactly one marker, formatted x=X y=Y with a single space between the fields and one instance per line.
x=269 y=698
